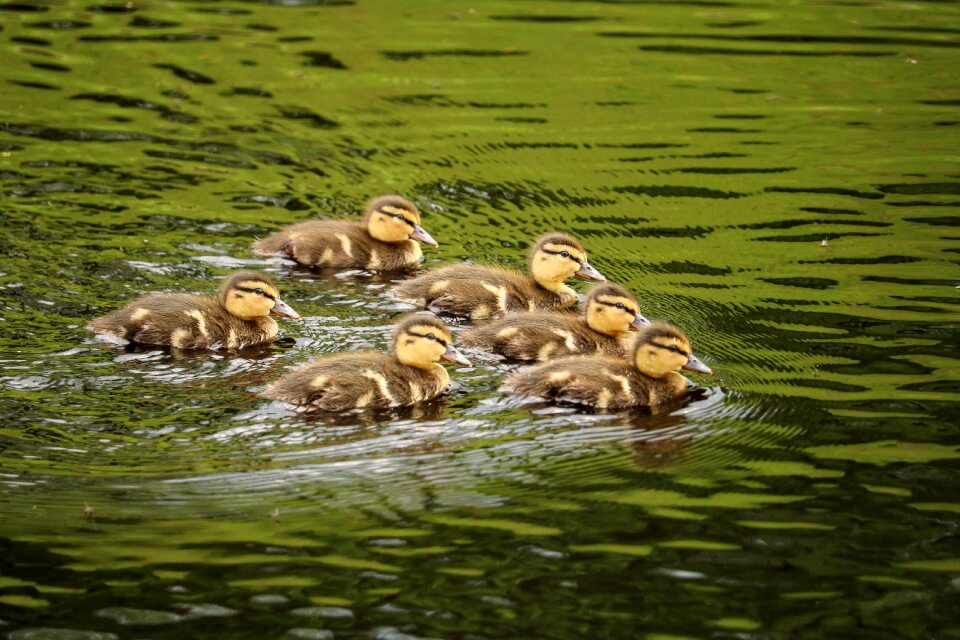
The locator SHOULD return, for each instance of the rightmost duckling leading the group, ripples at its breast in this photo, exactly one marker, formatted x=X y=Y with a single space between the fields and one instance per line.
x=648 y=378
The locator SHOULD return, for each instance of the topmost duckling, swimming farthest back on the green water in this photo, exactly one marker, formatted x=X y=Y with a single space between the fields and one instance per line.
x=387 y=239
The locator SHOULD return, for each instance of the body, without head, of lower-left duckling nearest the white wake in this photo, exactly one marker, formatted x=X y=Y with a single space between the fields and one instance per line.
x=356 y=381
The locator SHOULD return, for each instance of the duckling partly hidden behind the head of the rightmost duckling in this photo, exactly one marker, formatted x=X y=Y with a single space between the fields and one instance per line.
x=610 y=312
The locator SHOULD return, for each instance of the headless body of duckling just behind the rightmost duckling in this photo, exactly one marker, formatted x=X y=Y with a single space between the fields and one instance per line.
x=541 y=336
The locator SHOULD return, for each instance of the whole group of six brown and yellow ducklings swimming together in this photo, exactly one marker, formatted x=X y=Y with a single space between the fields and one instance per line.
x=587 y=359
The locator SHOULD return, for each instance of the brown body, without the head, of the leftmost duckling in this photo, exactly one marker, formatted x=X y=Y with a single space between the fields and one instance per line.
x=182 y=321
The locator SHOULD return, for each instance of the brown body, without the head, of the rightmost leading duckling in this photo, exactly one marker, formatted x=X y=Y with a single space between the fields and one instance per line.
x=596 y=381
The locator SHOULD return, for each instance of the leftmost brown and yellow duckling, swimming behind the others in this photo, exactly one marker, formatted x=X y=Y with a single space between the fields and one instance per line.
x=238 y=317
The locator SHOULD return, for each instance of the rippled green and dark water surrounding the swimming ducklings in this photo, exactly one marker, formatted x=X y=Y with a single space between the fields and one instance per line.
x=703 y=151
